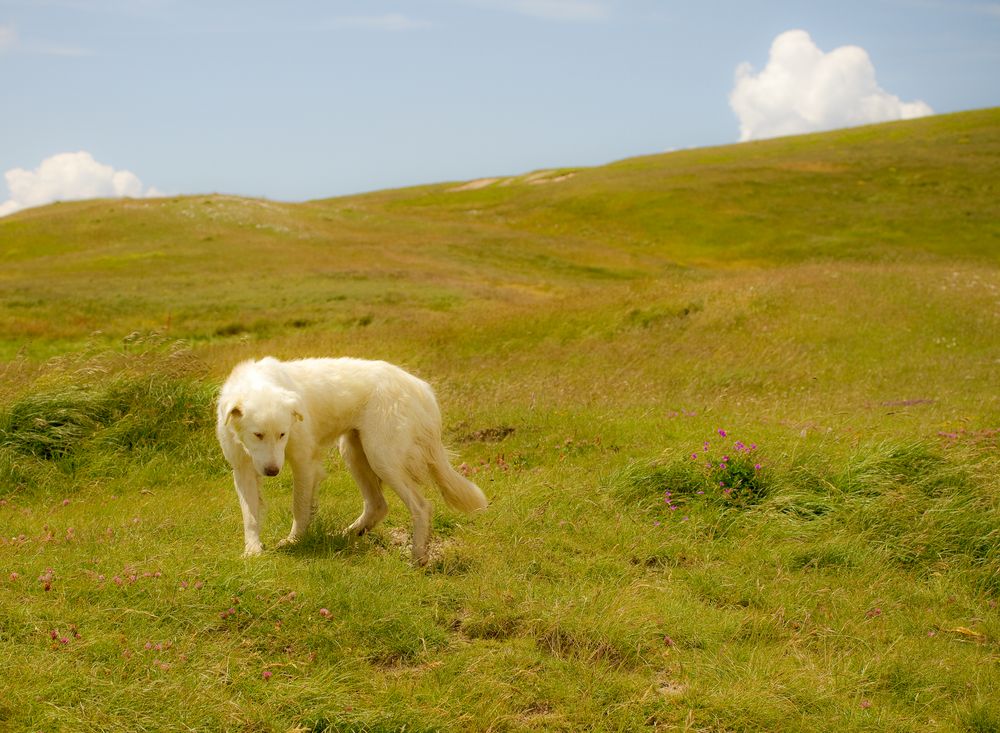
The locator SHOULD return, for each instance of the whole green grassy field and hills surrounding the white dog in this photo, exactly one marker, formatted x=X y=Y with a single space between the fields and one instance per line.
x=736 y=410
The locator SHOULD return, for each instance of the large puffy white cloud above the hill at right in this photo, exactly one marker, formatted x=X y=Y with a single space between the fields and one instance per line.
x=802 y=89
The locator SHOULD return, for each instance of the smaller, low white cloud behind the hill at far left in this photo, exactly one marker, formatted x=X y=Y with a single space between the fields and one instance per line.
x=68 y=177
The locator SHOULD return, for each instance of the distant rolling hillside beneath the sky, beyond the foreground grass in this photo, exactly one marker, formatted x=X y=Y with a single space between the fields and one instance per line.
x=911 y=192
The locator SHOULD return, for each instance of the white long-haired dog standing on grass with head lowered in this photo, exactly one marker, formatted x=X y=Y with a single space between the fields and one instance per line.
x=386 y=422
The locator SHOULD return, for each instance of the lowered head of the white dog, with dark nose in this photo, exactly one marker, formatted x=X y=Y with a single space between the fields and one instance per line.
x=263 y=421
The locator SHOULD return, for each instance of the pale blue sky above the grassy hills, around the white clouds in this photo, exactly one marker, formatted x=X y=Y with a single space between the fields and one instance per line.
x=305 y=99
